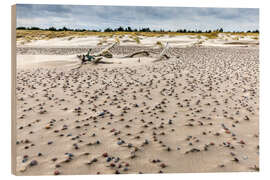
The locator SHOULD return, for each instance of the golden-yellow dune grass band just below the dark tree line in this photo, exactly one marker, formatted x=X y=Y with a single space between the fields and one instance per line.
x=29 y=35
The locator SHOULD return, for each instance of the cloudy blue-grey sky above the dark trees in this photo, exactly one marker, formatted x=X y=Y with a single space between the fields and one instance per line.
x=167 y=18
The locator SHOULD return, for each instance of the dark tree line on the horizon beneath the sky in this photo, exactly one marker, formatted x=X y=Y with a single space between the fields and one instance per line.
x=129 y=29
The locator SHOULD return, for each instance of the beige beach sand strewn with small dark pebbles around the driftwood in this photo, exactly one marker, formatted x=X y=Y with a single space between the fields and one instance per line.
x=195 y=112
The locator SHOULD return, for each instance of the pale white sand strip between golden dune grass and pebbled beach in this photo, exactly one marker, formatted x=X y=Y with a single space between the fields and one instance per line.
x=174 y=41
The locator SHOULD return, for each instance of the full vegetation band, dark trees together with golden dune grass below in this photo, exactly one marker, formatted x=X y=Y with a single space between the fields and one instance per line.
x=34 y=33
